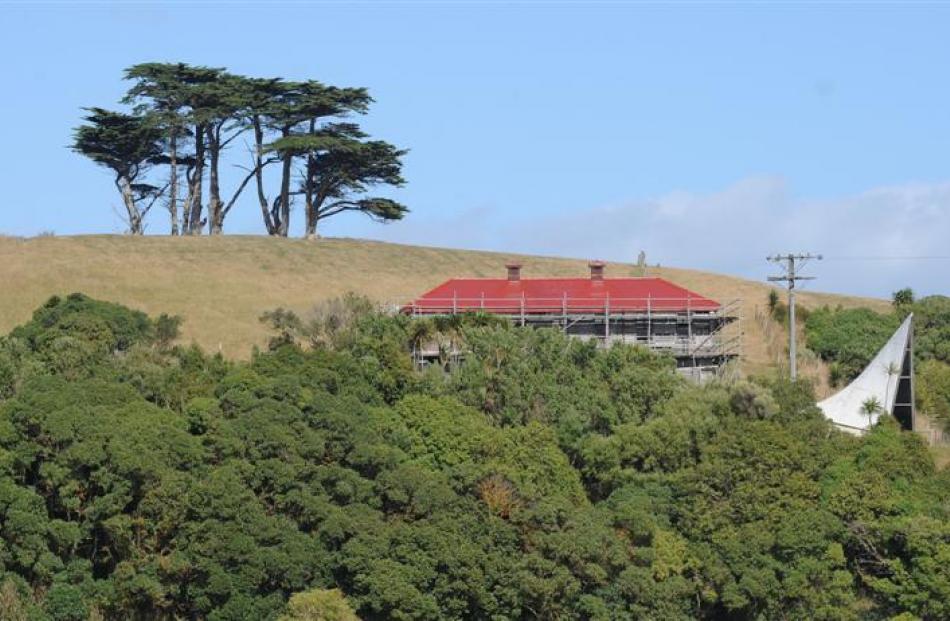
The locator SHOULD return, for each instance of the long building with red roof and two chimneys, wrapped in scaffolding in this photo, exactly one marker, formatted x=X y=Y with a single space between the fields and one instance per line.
x=647 y=311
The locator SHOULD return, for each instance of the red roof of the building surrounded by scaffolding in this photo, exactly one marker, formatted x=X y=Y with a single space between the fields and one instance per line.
x=540 y=295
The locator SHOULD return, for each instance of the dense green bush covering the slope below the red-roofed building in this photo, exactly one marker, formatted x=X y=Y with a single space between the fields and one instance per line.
x=540 y=478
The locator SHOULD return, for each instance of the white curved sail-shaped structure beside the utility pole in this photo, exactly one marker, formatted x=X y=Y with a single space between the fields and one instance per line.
x=879 y=381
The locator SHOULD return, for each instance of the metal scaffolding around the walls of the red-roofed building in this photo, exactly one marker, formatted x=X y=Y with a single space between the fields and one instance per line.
x=702 y=339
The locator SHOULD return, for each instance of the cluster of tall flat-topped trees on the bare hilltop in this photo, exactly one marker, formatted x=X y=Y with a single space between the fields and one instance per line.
x=186 y=119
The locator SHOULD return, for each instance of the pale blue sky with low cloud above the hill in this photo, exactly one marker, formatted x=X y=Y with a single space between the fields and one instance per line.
x=706 y=135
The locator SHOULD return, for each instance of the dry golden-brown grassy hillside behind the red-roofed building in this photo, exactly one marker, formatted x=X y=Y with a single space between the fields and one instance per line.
x=222 y=285
